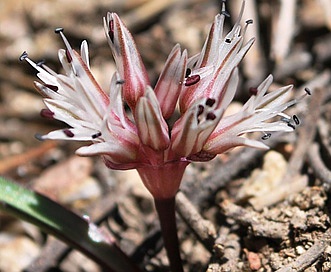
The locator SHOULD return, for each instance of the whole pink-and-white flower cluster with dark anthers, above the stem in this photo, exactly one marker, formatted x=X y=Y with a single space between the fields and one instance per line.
x=200 y=88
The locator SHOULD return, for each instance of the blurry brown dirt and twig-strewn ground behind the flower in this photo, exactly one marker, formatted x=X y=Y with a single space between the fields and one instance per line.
x=255 y=211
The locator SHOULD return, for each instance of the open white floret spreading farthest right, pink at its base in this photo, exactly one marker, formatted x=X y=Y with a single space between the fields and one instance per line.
x=251 y=118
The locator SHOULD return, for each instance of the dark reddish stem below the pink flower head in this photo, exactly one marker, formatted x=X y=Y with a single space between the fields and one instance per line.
x=166 y=211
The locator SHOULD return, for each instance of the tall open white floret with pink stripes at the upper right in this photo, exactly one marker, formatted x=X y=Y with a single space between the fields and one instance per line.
x=223 y=54
